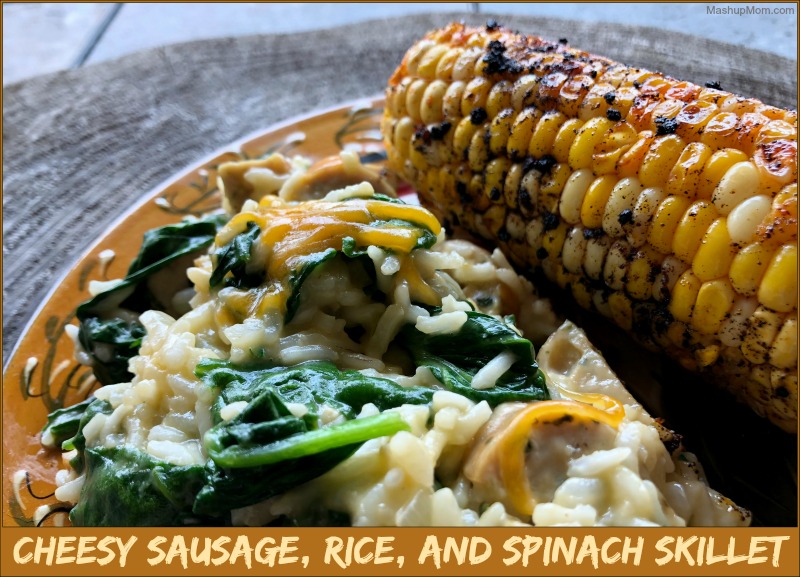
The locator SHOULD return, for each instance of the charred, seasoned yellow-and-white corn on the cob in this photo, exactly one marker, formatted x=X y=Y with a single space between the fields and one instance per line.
x=669 y=207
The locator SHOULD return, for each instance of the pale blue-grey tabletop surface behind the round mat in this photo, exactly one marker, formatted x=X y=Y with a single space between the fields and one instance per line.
x=46 y=37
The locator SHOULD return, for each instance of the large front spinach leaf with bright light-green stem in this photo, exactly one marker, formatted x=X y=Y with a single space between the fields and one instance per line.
x=265 y=450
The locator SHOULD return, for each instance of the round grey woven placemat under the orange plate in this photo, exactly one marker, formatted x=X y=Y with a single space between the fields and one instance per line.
x=79 y=147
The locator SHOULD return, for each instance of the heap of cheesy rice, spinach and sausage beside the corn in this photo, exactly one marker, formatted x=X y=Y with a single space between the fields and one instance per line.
x=321 y=353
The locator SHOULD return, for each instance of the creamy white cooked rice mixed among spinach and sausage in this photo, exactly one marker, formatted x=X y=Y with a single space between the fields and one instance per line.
x=442 y=470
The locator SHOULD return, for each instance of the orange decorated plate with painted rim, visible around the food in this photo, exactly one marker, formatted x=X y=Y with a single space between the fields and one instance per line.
x=746 y=458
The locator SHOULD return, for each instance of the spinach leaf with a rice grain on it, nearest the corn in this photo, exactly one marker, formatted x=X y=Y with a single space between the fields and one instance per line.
x=454 y=359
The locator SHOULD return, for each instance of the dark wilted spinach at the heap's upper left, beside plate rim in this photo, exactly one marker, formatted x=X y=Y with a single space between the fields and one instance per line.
x=111 y=339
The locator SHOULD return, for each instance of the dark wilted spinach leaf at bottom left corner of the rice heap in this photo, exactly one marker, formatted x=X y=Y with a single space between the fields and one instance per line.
x=127 y=487
